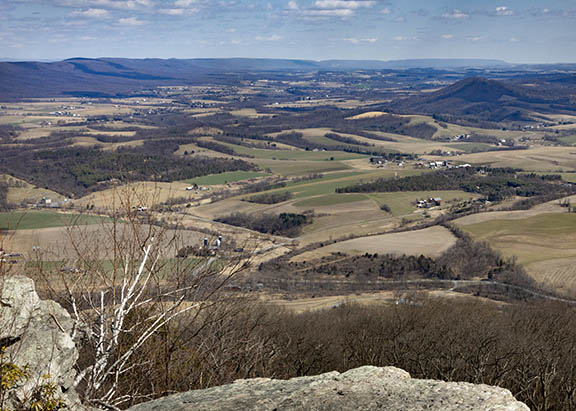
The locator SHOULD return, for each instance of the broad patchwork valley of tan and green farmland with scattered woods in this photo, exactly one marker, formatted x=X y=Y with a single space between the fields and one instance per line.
x=185 y=157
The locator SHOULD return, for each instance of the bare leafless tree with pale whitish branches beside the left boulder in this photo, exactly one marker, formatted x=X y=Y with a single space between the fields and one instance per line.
x=122 y=284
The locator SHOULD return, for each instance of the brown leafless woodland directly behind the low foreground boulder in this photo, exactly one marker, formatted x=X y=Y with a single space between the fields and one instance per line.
x=528 y=349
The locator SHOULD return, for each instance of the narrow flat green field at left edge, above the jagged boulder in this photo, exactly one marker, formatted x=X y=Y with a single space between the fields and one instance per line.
x=20 y=220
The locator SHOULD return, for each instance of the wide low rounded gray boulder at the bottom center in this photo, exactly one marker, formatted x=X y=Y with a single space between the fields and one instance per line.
x=365 y=388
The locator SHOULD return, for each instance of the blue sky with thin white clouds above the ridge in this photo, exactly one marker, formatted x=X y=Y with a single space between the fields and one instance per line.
x=517 y=31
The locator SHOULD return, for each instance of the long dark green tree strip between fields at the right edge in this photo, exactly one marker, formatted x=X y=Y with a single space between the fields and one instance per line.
x=494 y=184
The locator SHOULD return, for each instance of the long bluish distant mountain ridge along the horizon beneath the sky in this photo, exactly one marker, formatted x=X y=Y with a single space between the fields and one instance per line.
x=120 y=76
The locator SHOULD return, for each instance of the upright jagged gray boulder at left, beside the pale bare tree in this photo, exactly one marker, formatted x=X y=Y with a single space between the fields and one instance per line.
x=37 y=334
